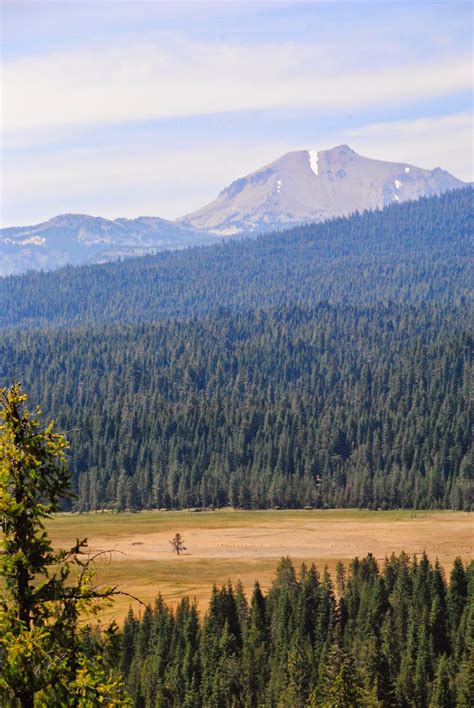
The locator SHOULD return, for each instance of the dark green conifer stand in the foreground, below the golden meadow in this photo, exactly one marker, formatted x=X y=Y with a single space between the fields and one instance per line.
x=399 y=636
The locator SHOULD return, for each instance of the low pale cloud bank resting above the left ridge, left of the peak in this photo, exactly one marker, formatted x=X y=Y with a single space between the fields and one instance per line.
x=127 y=181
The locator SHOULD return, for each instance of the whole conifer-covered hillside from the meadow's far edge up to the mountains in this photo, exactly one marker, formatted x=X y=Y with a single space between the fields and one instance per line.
x=325 y=366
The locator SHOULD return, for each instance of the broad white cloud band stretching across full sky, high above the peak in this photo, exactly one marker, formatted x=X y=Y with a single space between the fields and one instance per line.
x=176 y=78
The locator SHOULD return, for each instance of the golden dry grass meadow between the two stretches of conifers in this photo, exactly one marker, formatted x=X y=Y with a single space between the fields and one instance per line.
x=246 y=546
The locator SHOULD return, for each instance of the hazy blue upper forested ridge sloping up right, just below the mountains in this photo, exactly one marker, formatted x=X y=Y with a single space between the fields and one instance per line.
x=409 y=253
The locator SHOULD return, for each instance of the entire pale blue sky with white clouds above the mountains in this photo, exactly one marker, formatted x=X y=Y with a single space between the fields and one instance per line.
x=132 y=108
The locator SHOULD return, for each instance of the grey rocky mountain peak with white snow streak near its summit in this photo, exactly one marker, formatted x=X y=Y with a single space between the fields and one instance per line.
x=311 y=185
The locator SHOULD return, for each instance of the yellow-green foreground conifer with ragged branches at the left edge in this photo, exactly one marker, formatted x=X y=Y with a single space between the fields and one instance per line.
x=43 y=592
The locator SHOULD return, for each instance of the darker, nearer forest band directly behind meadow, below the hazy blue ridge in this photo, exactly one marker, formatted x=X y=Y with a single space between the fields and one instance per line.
x=326 y=405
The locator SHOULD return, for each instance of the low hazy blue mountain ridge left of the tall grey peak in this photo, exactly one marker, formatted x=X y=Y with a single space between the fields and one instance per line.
x=78 y=239
